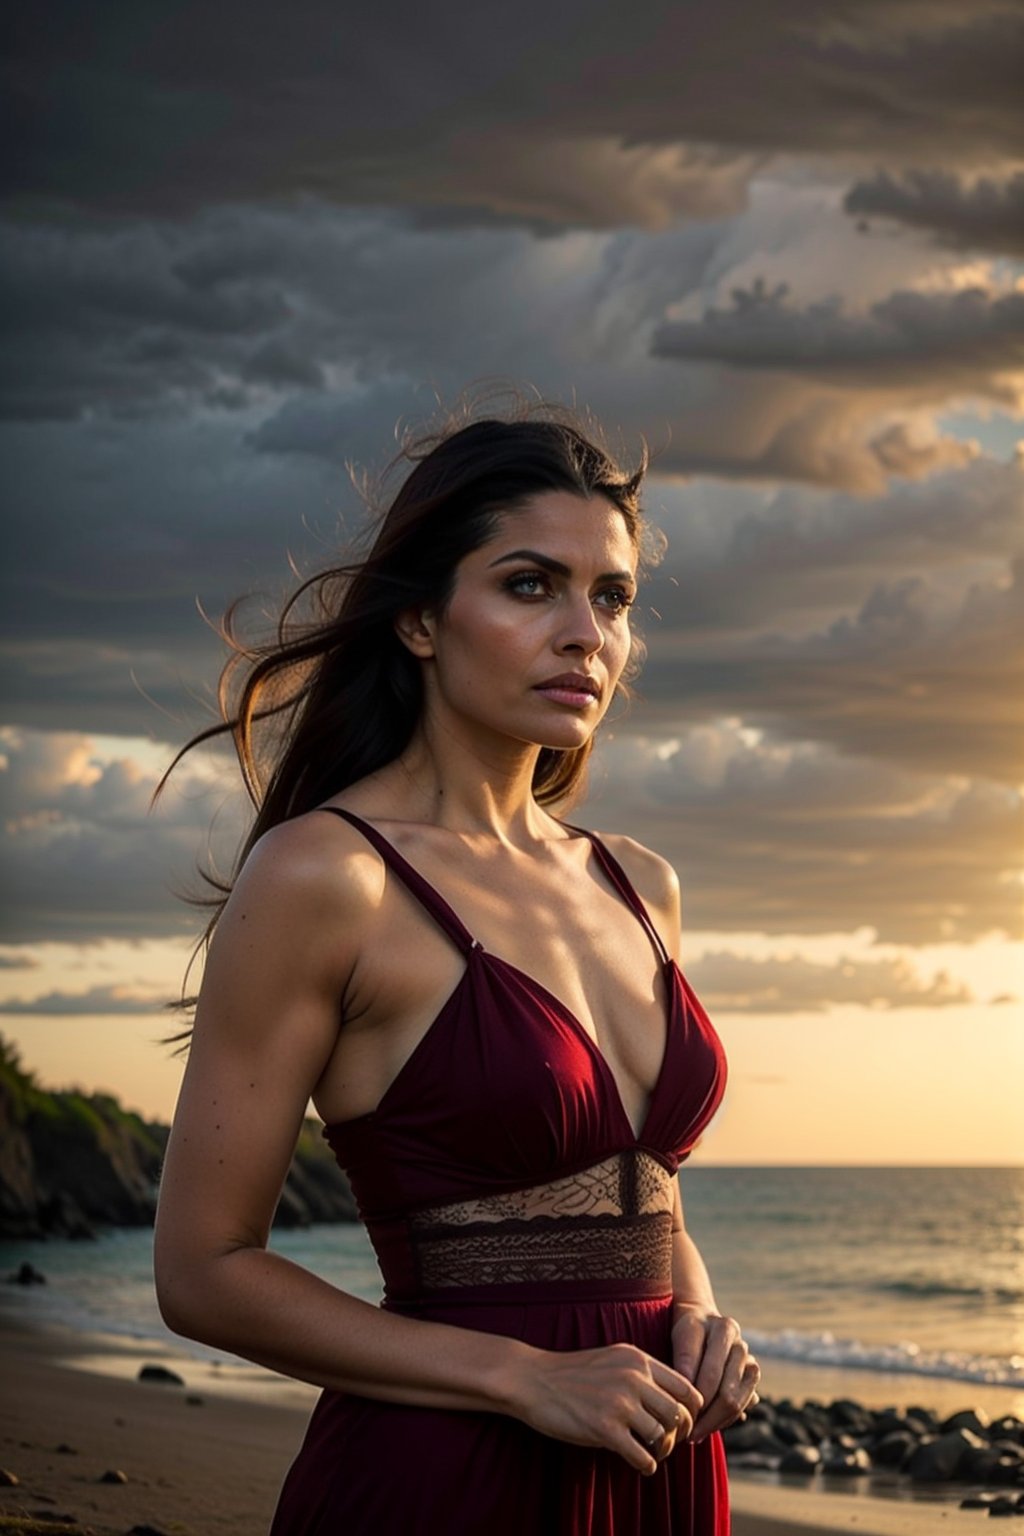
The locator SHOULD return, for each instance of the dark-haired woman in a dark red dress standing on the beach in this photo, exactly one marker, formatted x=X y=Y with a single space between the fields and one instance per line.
x=486 y=1008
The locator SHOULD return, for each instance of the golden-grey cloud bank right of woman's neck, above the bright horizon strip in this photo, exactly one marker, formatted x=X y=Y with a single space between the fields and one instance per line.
x=788 y=839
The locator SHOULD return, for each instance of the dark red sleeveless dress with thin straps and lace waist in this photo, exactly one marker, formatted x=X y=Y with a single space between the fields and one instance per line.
x=504 y=1190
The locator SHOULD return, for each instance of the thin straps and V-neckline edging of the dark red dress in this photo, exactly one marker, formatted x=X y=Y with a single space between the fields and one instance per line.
x=452 y=925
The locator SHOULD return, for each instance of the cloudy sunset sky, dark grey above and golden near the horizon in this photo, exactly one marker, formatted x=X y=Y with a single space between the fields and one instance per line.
x=782 y=243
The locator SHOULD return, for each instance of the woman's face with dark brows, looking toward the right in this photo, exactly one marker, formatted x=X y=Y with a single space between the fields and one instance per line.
x=537 y=632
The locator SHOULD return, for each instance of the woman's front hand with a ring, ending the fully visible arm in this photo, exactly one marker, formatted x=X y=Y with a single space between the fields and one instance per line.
x=615 y=1399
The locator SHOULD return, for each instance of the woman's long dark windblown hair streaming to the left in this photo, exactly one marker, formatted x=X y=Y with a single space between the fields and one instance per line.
x=335 y=695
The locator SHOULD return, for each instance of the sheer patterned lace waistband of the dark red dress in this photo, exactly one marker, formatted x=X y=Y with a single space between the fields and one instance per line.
x=606 y=1231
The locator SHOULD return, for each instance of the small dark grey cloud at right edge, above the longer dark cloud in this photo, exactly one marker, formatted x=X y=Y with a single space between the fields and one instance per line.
x=985 y=214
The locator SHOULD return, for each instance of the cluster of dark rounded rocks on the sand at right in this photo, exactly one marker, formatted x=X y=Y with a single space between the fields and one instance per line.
x=847 y=1440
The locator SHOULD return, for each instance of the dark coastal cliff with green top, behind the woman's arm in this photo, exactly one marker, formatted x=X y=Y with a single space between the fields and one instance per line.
x=73 y=1164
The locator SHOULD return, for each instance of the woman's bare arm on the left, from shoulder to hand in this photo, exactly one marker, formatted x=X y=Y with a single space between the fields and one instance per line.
x=285 y=958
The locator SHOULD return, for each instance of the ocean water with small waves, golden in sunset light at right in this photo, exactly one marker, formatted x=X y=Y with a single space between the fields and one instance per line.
x=908 y=1276
